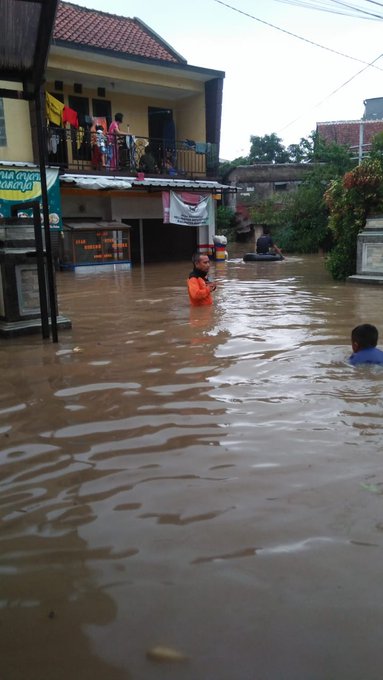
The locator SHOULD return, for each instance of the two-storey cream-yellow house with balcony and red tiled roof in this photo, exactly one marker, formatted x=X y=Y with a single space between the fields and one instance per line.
x=100 y=64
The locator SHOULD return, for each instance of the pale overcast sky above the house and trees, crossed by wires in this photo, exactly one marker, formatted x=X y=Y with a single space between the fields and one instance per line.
x=274 y=82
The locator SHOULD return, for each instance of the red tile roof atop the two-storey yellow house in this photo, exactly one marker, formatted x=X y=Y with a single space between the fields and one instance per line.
x=88 y=27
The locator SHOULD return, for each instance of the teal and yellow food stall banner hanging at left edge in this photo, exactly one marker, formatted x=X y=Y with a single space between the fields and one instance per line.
x=23 y=184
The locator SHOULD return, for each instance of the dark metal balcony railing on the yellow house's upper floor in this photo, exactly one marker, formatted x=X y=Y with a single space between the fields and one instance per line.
x=86 y=151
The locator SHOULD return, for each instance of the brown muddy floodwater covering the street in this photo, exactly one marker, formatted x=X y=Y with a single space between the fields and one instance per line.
x=208 y=480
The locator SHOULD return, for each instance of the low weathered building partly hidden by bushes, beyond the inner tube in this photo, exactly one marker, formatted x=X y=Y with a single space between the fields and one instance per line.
x=258 y=183
